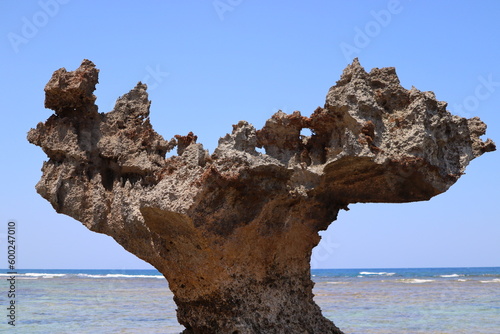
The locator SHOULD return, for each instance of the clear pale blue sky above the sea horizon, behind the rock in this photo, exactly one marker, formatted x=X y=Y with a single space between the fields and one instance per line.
x=210 y=64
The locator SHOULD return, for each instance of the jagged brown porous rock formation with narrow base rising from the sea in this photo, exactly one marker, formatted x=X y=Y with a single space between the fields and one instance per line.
x=233 y=231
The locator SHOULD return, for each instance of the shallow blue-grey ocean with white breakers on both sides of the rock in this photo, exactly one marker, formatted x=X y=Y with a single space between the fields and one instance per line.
x=359 y=301
